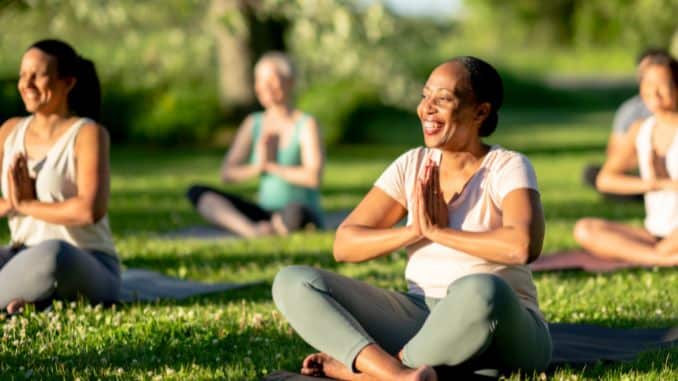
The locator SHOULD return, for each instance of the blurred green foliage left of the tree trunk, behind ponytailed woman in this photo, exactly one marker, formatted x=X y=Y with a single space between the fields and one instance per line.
x=153 y=58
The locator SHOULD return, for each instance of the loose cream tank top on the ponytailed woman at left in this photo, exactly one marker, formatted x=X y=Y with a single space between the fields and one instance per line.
x=55 y=176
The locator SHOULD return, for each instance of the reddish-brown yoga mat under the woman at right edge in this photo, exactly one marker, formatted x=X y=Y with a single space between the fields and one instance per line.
x=577 y=260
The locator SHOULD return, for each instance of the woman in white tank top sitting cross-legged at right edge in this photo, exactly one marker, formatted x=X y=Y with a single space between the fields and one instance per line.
x=652 y=144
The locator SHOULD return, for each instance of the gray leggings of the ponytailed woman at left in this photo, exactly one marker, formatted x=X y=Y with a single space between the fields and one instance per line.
x=55 y=269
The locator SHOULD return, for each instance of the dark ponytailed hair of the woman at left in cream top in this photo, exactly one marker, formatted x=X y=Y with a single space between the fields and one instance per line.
x=84 y=99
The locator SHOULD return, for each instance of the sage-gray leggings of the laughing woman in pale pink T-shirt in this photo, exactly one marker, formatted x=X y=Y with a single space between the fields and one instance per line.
x=480 y=324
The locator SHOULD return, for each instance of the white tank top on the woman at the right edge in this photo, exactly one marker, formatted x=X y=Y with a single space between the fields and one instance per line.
x=661 y=207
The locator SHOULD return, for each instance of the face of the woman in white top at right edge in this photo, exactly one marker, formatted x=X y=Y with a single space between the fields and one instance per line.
x=658 y=89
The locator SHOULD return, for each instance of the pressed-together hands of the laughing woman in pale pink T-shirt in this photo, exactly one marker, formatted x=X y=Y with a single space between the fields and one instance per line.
x=429 y=212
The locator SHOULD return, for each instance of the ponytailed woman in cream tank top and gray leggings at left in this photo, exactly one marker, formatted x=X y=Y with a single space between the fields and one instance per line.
x=55 y=185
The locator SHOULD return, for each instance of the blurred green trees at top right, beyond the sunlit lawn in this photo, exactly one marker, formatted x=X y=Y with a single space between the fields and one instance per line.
x=631 y=24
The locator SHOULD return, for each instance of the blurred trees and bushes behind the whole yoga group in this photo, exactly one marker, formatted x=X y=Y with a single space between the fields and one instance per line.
x=180 y=71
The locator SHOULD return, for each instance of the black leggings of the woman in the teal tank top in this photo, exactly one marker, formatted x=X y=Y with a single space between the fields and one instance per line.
x=295 y=216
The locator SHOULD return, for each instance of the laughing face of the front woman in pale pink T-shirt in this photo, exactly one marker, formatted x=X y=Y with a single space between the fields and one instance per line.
x=448 y=110
